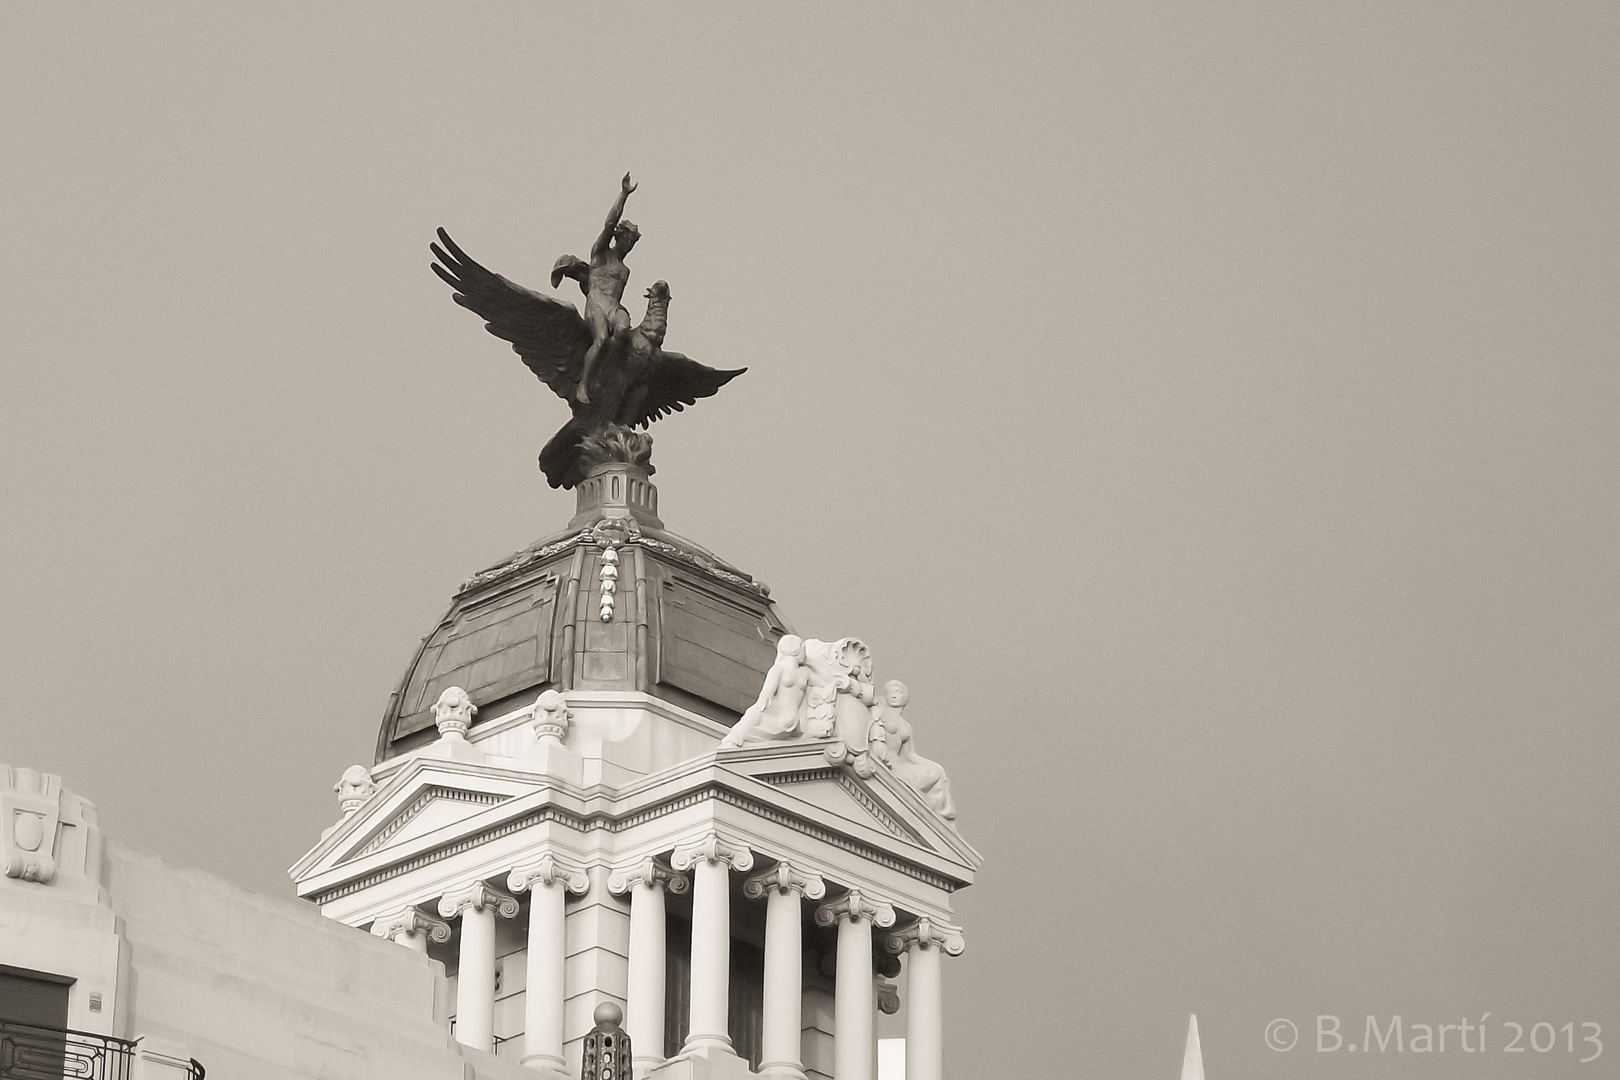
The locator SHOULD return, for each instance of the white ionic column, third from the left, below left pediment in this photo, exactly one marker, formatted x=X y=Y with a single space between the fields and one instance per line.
x=548 y=883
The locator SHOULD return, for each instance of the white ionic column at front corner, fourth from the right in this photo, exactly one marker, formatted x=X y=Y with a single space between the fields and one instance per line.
x=710 y=862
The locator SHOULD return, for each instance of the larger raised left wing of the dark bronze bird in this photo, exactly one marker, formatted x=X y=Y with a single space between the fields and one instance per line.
x=547 y=333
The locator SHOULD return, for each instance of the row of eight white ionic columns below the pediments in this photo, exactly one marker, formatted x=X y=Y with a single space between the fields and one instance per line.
x=710 y=864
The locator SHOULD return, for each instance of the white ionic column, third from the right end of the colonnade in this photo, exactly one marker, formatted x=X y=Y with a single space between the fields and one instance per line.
x=780 y=1037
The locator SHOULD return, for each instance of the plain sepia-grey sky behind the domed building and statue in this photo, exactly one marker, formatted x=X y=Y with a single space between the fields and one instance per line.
x=1208 y=410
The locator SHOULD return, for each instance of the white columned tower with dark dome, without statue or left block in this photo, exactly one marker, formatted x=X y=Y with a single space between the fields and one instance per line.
x=613 y=775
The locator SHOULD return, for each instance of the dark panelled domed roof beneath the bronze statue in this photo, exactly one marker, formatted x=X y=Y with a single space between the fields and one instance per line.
x=612 y=603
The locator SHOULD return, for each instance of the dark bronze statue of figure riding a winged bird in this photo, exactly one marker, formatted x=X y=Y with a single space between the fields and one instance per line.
x=608 y=372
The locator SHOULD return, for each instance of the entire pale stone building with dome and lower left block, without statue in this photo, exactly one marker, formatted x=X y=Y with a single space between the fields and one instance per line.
x=612 y=775
